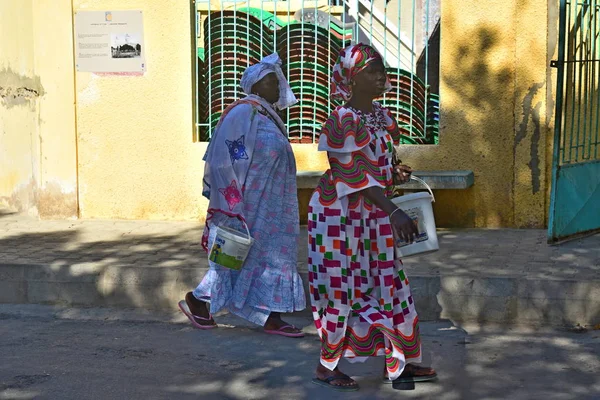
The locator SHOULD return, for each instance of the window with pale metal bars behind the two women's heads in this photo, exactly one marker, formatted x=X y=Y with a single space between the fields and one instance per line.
x=308 y=35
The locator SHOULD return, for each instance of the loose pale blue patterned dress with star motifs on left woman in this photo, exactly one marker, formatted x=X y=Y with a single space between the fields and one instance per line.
x=256 y=157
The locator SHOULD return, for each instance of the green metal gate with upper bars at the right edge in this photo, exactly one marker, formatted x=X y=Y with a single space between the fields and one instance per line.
x=575 y=196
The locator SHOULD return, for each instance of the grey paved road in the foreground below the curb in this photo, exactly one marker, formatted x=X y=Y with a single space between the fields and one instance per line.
x=55 y=353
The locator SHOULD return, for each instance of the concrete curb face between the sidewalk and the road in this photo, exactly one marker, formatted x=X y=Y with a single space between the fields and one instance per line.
x=506 y=300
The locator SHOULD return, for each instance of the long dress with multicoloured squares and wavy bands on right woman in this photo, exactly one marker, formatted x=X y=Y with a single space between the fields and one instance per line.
x=361 y=299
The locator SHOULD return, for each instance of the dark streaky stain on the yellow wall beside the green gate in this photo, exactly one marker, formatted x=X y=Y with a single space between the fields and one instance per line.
x=534 y=114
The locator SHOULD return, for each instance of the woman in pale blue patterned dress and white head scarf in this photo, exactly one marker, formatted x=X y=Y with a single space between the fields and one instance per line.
x=250 y=175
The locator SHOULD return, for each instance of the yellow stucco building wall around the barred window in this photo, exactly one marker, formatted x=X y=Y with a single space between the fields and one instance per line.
x=136 y=158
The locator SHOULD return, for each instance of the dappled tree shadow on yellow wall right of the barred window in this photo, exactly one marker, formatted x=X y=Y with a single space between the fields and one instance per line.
x=478 y=91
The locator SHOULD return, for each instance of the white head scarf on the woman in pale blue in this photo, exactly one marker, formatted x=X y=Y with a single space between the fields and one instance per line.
x=269 y=64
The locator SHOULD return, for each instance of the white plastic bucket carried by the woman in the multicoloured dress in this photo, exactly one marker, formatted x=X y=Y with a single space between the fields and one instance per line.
x=418 y=206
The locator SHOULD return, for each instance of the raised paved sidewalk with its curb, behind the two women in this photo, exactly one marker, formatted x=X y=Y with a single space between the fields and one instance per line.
x=504 y=276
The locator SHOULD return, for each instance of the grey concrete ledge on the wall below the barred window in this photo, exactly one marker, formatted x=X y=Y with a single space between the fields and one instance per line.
x=459 y=179
